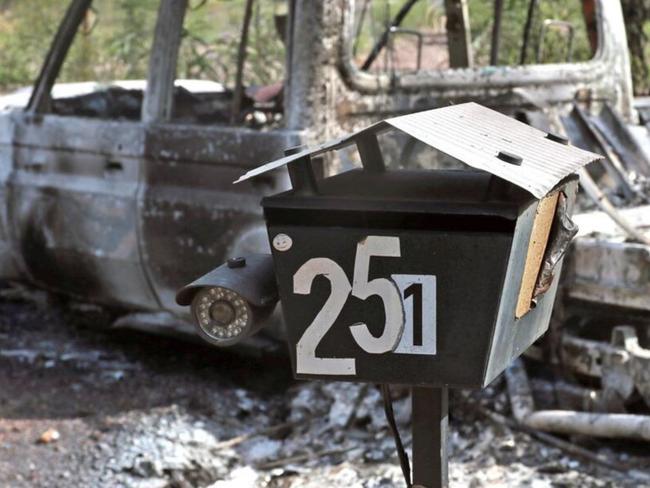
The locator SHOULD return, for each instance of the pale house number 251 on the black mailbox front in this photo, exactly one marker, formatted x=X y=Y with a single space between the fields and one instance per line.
x=408 y=300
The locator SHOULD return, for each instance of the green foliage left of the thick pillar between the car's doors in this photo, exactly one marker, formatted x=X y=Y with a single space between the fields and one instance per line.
x=113 y=42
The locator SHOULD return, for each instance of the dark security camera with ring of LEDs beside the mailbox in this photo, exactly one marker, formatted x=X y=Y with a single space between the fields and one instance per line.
x=233 y=301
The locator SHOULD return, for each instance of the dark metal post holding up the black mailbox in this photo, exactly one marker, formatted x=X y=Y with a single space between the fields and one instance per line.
x=430 y=427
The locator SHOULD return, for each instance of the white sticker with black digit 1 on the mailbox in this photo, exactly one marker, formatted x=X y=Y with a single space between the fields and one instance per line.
x=418 y=294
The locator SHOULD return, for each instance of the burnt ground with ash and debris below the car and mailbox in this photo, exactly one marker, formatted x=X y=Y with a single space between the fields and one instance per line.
x=122 y=408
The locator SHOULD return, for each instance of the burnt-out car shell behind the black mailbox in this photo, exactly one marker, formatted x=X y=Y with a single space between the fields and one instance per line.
x=121 y=194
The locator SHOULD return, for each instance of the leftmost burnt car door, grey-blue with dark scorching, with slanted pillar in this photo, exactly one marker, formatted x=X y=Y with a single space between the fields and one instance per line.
x=72 y=193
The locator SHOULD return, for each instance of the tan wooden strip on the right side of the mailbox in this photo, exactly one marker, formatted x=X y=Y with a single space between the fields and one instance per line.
x=536 y=248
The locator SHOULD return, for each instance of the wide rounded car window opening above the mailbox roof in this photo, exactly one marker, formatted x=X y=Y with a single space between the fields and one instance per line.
x=412 y=36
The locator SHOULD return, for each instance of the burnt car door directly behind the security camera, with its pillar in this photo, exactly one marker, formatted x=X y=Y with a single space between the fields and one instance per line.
x=191 y=216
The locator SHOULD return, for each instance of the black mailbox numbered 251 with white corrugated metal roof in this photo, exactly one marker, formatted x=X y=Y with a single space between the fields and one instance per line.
x=423 y=277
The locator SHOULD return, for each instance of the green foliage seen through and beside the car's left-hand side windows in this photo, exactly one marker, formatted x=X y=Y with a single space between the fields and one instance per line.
x=114 y=41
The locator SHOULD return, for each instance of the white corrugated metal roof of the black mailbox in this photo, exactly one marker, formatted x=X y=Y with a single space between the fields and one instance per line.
x=475 y=135
